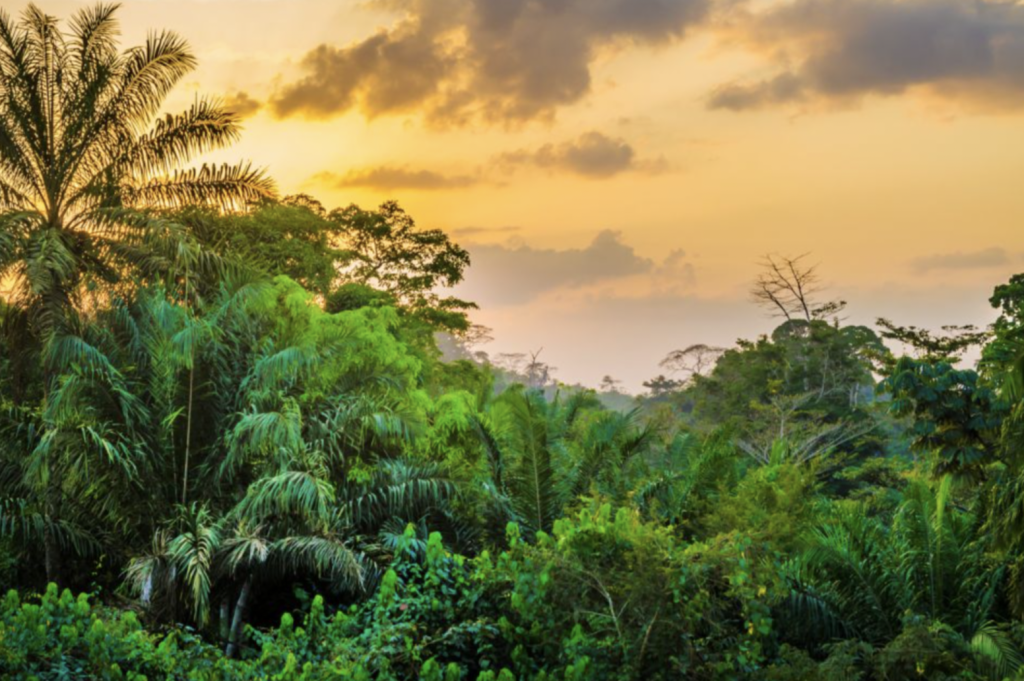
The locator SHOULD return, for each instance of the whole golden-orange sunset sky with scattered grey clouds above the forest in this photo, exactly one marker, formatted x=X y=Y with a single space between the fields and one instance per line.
x=619 y=169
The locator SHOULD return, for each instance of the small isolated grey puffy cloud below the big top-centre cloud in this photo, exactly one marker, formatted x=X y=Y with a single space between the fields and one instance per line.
x=592 y=155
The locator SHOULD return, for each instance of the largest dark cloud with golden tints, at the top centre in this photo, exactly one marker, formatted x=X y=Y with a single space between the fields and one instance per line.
x=470 y=61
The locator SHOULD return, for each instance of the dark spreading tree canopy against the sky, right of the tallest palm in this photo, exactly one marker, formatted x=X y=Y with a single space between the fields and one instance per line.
x=351 y=259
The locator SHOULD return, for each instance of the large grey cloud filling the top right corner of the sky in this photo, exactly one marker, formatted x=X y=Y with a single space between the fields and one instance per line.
x=841 y=52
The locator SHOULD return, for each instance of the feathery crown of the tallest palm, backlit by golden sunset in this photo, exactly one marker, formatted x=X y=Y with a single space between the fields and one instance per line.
x=83 y=154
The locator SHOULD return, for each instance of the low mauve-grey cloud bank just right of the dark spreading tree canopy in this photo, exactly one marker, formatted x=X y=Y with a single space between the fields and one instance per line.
x=503 y=275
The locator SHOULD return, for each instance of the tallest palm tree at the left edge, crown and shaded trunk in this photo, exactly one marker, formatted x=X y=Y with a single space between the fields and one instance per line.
x=86 y=165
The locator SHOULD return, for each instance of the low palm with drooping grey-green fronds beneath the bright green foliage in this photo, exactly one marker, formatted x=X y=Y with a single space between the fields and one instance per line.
x=290 y=525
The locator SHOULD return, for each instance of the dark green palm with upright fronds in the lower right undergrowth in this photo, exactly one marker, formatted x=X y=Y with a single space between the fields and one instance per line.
x=861 y=578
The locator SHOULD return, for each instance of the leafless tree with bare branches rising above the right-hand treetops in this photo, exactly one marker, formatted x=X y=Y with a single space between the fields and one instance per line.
x=789 y=289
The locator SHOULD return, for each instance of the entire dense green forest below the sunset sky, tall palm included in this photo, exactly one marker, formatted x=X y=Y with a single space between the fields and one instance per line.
x=244 y=437
